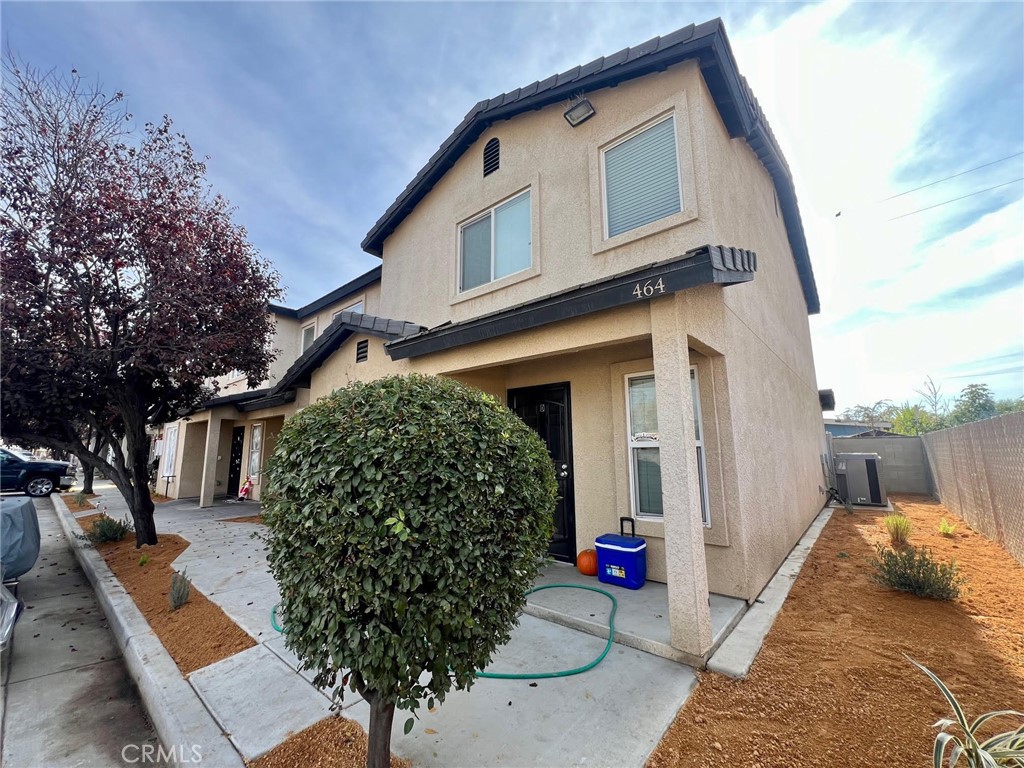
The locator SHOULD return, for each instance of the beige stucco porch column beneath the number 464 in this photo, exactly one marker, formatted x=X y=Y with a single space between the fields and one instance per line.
x=690 y=614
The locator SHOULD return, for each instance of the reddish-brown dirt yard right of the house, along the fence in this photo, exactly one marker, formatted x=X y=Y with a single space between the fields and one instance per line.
x=832 y=687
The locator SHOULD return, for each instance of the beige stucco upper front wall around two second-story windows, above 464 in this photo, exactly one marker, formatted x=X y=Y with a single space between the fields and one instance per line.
x=561 y=165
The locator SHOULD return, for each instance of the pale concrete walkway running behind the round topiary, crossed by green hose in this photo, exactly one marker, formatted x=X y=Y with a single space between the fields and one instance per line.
x=612 y=716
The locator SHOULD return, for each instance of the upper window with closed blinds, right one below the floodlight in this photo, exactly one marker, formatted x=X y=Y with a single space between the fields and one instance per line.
x=642 y=179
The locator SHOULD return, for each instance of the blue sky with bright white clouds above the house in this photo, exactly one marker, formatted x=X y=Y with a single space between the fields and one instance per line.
x=317 y=115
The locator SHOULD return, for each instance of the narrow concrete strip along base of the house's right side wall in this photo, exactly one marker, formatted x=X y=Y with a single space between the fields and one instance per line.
x=738 y=653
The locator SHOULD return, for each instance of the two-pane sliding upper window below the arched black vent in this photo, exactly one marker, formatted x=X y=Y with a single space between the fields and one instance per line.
x=496 y=244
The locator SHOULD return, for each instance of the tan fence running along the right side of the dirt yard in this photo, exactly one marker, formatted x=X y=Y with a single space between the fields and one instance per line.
x=979 y=475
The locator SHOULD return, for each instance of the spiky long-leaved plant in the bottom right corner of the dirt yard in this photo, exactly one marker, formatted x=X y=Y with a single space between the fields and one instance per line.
x=1005 y=749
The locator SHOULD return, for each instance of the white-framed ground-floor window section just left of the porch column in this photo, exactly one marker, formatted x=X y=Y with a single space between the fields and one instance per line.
x=646 y=456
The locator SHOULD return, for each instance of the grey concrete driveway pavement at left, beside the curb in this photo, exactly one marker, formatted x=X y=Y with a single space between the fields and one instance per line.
x=67 y=700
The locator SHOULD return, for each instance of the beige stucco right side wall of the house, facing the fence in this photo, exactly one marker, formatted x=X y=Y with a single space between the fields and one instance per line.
x=777 y=416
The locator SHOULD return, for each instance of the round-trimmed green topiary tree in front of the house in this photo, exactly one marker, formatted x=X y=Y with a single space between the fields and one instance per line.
x=408 y=518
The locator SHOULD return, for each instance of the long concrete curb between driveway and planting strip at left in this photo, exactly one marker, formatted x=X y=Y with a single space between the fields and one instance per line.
x=179 y=715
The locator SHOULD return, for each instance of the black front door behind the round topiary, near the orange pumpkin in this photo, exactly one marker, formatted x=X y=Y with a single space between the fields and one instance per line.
x=547 y=411
